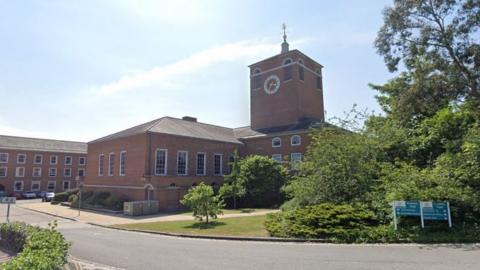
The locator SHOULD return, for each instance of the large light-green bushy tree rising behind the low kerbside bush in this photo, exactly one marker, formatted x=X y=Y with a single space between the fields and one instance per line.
x=339 y=167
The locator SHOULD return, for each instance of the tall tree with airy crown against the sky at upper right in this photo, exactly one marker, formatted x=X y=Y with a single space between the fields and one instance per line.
x=437 y=43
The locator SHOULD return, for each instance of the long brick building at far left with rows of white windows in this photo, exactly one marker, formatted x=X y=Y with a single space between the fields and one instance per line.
x=29 y=164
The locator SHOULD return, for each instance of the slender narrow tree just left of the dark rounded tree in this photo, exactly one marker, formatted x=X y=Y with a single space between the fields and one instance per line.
x=234 y=186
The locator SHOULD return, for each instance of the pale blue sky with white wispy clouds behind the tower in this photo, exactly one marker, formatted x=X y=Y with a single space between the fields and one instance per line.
x=80 y=70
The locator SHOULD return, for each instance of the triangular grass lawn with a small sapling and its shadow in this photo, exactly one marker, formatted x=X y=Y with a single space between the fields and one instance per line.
x=237 y=226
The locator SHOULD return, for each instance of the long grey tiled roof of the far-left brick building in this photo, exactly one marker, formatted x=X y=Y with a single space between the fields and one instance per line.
x=44 y=145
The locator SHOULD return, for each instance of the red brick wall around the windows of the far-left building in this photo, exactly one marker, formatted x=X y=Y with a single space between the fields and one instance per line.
x=8 y=182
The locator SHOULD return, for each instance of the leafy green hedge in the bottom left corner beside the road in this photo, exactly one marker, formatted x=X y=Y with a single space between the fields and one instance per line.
x=39 y=249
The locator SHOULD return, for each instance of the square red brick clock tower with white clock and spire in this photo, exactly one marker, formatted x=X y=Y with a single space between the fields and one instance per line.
x=286 y=89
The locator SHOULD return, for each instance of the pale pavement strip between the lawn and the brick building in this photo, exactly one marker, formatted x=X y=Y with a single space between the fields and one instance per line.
x=106 y=219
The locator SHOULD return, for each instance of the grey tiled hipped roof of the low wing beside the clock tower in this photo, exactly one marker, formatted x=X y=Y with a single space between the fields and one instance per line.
x=179 y=127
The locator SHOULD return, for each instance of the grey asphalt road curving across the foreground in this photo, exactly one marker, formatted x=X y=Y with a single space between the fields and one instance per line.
x=131 y=250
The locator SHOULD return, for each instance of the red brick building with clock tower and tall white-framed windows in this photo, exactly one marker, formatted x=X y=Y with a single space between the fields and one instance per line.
x=161 y=159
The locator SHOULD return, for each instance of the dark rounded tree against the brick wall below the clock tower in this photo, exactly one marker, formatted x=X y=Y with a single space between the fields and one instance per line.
x=263 y=178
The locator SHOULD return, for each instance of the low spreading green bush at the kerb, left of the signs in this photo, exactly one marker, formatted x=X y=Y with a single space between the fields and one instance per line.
x=322 y=221
